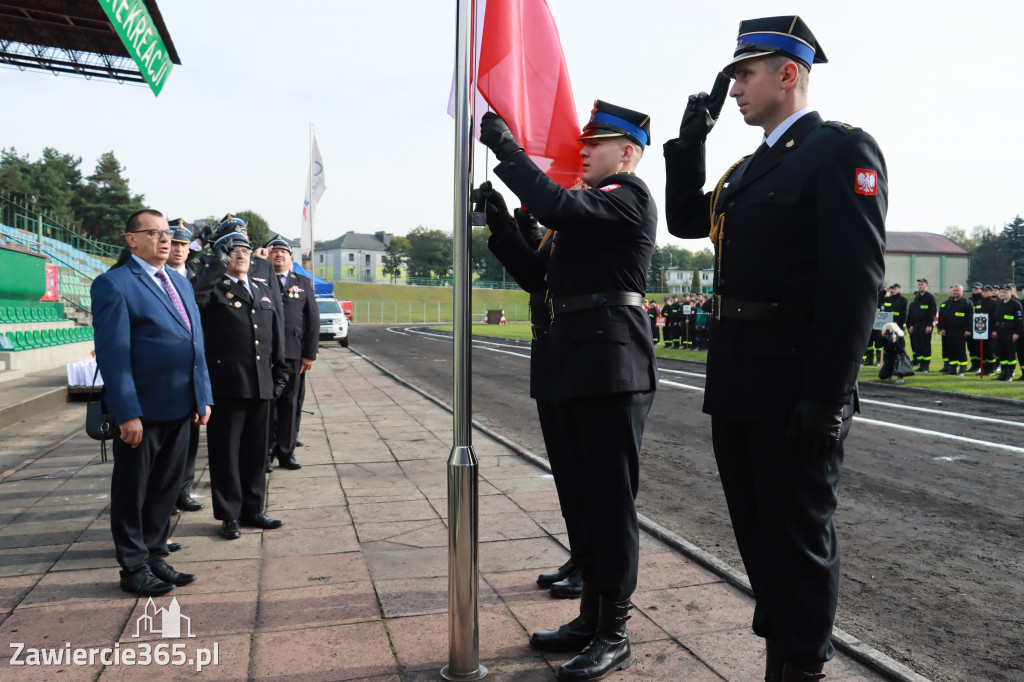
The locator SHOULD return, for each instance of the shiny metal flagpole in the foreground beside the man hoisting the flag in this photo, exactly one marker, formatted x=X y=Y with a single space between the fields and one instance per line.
x=464 y=635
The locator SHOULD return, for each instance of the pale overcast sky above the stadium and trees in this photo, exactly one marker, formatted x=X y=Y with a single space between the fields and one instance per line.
x=932 y=81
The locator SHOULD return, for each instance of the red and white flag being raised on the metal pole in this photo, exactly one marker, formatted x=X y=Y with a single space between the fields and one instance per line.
x=522 y=75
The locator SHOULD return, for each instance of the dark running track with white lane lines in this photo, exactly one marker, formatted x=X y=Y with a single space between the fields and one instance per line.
x=930 y=521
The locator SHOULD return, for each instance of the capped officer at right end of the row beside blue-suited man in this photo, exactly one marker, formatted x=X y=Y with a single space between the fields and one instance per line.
x=302 y=345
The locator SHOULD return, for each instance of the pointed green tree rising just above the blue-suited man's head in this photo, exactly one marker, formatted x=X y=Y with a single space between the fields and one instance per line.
x=107 y=201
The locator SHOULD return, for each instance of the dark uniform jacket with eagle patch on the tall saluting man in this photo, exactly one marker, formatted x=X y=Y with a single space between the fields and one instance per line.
x=804 y=227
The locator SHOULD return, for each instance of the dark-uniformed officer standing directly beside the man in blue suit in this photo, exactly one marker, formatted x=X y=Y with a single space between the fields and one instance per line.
x=246 y=359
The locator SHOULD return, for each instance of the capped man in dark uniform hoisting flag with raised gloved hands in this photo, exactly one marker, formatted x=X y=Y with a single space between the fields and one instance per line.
x=603 y=361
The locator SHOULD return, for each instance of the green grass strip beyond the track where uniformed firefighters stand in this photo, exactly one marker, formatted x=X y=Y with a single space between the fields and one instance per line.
x=935 y=381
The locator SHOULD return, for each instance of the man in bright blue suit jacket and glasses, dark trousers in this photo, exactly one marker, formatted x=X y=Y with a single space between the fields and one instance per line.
x=150 y=350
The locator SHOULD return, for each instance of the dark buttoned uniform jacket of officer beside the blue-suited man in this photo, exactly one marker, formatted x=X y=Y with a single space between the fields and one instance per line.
x=245 y=352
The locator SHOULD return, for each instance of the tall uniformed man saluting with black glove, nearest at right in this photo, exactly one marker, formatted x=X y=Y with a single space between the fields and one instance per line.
x=799 y=231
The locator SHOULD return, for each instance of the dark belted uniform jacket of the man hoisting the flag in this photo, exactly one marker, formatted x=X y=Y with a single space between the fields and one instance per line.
x=605 y=241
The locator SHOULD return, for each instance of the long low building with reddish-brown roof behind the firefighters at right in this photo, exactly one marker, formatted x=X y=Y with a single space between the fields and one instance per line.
x=911 y=257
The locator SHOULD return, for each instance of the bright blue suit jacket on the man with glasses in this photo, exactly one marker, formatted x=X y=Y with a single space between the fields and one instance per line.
x=154 y=368
